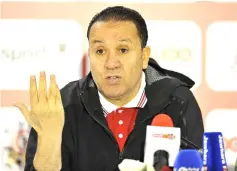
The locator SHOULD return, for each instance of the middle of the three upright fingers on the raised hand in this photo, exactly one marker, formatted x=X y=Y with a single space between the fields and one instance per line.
x=42 y=87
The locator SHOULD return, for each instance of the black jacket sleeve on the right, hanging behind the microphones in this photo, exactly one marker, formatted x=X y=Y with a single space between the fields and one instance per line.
x=192 y=113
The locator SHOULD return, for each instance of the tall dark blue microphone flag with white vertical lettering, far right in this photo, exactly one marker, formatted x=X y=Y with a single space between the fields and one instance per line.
x=214 y=152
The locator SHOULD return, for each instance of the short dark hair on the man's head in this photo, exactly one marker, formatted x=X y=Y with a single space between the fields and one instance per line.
x=120 y=13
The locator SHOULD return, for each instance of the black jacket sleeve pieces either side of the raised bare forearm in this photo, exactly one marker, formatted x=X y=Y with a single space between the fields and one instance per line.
x=31 y=150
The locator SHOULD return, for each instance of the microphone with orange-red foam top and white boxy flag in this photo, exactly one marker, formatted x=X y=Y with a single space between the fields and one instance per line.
x=162 y=139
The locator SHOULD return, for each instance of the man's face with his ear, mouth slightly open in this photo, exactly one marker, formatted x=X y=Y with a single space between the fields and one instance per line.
x=116 y=58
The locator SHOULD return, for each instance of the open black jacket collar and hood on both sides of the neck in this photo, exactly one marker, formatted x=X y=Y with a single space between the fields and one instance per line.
x=160 y=85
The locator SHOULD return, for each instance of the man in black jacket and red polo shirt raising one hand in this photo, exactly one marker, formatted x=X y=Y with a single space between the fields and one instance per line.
x=107 y=112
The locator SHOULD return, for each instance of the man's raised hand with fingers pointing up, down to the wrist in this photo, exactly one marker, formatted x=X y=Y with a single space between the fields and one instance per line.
x=46 y=114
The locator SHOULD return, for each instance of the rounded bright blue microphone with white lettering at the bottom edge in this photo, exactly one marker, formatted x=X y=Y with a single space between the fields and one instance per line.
x=188 y=159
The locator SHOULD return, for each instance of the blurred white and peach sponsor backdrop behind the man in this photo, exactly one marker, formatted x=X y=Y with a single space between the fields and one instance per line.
x=196 y=38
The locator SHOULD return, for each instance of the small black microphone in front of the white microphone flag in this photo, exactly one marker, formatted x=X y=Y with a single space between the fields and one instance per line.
x=161 y=159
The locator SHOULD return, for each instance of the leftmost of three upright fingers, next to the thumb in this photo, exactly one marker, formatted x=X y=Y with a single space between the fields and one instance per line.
x=33 y=92
